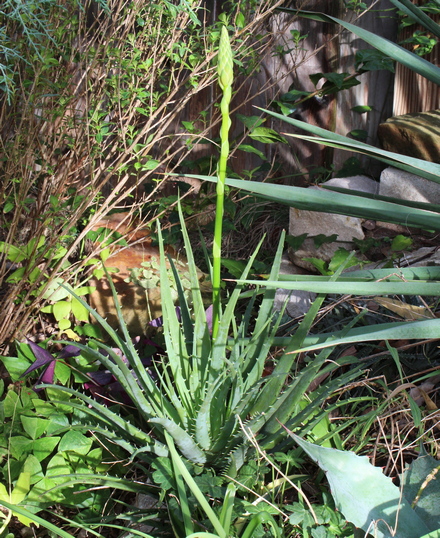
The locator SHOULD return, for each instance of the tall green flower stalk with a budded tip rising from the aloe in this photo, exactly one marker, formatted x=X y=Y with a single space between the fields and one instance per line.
x=225 y=78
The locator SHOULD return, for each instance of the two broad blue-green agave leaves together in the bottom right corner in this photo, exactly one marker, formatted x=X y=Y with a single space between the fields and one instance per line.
x=381 y=508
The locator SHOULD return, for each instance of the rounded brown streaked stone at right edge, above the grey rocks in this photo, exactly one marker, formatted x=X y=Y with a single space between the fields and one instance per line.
x=416 y=135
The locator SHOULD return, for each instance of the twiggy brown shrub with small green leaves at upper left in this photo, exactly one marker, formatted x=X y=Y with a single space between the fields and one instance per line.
x=82 y=127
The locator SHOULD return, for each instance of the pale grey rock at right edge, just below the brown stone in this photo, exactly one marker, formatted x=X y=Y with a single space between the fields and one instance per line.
x=406 y=186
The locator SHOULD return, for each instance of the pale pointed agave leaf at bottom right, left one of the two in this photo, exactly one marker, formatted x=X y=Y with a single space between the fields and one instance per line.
x=364 y=495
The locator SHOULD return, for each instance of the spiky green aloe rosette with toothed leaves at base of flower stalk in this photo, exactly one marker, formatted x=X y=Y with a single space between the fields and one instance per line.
x=205 y=387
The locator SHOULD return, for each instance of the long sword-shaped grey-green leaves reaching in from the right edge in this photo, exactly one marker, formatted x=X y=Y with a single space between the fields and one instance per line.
x=374 y=282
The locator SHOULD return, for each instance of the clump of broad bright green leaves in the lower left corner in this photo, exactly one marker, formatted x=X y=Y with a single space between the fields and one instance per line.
x=42 y=446
